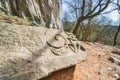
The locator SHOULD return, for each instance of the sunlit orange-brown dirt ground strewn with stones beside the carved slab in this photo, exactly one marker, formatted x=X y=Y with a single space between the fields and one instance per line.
x=98 y=65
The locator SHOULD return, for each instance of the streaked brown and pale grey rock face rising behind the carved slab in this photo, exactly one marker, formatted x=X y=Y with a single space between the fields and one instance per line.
x=45 y=12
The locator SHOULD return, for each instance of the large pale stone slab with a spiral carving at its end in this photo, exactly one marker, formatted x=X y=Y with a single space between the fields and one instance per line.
x=31 y=53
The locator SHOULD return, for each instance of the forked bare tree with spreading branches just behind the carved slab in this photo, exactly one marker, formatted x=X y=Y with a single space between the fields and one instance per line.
x=82 y=10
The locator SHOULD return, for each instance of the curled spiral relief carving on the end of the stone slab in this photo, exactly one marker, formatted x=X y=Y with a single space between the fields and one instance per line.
x=63 y=42
